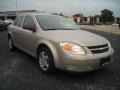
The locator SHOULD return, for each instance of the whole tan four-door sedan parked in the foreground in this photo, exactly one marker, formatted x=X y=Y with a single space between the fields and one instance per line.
x=59 y=43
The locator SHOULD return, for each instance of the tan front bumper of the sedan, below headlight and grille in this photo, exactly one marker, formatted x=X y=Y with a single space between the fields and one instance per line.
x=86 y=62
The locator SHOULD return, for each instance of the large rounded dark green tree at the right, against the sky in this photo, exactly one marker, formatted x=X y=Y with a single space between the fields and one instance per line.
x=106 y=16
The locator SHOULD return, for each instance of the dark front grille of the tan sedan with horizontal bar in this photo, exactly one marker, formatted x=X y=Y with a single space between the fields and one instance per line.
x=99 y=49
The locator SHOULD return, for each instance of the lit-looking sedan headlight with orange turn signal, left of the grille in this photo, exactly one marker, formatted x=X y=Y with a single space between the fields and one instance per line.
x=72 y=48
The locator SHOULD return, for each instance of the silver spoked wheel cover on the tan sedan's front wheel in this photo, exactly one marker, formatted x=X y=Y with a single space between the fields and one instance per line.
x=43 y=60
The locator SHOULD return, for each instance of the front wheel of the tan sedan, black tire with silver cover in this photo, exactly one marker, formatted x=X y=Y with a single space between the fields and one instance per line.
x=46 y=61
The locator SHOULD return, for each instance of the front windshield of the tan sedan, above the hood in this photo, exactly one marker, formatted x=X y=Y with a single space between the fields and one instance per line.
x=54 y=22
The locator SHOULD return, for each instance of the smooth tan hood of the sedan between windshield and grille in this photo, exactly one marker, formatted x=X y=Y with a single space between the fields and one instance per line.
x=81 y=37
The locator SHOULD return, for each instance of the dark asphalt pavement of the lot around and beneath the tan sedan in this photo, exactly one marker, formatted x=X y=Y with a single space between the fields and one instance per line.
x=19 y=71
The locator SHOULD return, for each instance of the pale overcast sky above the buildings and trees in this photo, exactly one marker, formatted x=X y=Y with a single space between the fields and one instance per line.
x=67 y=7
